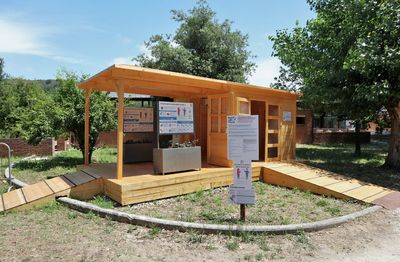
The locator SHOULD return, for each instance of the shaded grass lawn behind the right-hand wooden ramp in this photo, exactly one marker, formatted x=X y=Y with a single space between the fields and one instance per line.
x=340 y=158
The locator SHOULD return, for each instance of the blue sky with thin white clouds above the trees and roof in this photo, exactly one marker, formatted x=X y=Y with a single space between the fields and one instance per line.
x=38 y=37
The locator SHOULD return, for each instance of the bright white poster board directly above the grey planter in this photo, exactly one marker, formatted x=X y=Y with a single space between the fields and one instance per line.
x=175 y=118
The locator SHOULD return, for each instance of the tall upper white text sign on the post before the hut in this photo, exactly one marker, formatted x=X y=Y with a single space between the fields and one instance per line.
x=243 y=138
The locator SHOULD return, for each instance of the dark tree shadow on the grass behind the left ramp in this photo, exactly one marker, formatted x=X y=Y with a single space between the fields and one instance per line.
x=43 y=165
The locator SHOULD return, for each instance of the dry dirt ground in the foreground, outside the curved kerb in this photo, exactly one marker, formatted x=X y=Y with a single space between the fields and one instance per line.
x=57 y=233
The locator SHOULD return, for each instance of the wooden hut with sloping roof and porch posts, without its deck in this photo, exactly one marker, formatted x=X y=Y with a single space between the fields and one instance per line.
x=213 y=101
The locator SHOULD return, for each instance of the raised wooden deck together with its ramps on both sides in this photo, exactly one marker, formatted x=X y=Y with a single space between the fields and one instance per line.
x=140 y=184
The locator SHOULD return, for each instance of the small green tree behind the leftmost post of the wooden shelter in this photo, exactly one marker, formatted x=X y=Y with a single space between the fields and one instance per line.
x=71 y=102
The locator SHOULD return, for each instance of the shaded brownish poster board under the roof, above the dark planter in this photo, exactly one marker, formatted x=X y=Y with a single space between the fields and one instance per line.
x=138 y=119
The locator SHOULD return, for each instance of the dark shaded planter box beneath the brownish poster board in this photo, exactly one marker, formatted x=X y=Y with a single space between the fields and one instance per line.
x=138 y=151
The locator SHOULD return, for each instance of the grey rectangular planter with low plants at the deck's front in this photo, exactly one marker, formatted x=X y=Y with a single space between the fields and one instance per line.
x=177 y=157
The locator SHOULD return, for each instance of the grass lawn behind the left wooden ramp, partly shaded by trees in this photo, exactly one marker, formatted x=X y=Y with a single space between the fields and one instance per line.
x=32 y=171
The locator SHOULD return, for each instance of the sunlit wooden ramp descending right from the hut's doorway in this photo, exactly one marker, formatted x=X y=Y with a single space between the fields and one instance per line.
x=323 y=182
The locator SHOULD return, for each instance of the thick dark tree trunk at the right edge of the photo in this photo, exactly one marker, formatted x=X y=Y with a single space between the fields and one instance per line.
x=393 y=157
